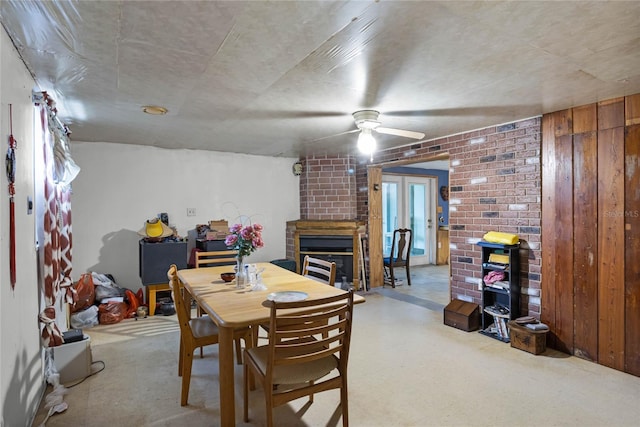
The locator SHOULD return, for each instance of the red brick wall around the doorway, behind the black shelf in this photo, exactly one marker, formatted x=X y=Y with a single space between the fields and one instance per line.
x=494 y=185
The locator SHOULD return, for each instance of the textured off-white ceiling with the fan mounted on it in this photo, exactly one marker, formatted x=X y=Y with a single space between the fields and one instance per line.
x=281 y=78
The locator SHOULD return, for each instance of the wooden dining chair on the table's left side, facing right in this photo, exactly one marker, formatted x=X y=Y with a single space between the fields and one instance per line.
x=194 y=333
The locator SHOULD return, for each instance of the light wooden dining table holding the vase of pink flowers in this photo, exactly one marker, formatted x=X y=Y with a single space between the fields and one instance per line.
x=231 y=308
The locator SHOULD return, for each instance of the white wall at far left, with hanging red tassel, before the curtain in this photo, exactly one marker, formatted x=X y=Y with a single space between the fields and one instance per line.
x=21 y=373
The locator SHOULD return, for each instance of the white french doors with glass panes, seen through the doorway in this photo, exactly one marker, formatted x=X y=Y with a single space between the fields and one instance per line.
x=409 y=202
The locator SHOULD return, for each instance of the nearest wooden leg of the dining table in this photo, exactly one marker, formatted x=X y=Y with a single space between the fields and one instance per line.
x=227 y=392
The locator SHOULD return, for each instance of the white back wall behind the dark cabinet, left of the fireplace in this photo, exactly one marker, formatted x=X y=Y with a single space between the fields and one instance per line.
x=120 y=186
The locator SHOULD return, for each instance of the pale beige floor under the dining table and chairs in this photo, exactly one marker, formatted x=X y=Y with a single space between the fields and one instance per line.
x=406 y=368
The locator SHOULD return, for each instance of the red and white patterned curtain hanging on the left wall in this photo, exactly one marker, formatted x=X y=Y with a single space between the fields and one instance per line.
x=59 y=171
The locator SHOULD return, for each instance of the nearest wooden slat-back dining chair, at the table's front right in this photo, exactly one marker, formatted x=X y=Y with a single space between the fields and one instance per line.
x=295 y=357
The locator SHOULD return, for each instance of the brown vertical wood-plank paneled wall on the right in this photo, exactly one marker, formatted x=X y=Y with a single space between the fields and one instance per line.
x=591 y=222
